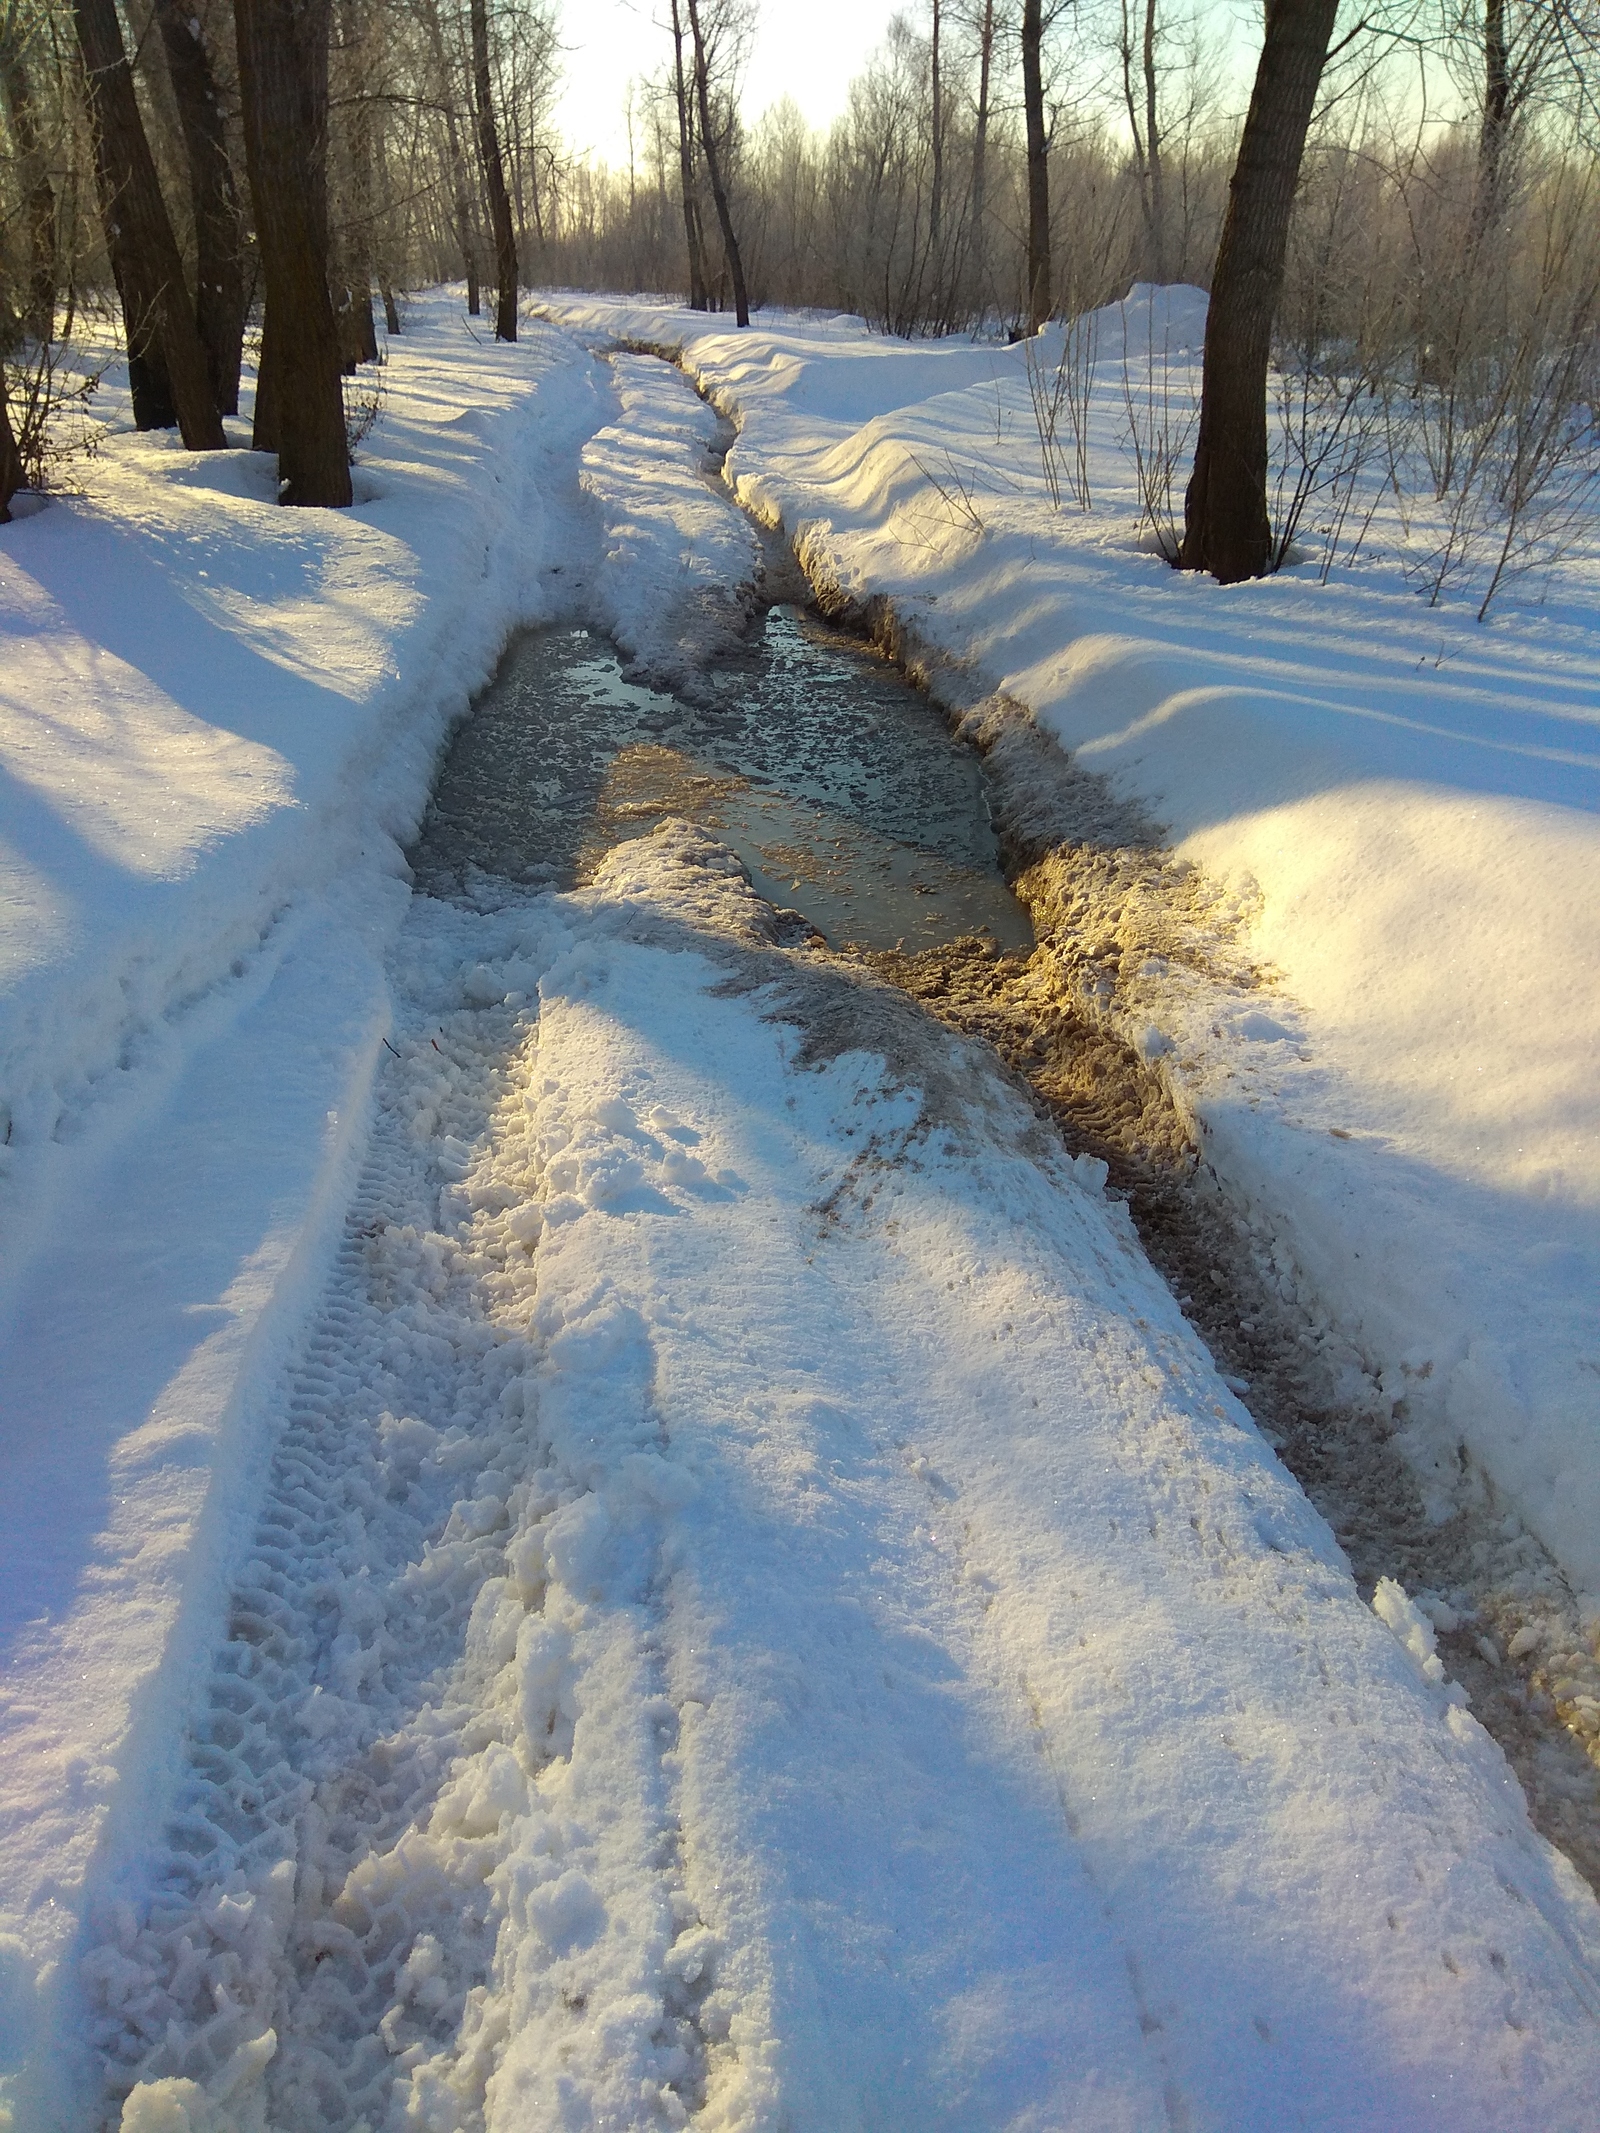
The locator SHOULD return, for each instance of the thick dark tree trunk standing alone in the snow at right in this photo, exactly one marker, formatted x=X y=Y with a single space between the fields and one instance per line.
x=1226 y=511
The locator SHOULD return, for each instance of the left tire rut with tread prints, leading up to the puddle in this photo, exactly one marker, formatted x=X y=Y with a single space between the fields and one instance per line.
x=383 y=1857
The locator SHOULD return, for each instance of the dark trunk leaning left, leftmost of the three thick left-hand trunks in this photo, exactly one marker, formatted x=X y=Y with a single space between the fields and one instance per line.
x=140 y=236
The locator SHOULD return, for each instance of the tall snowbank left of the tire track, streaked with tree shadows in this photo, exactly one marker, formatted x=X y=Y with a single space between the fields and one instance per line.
x=217 y=720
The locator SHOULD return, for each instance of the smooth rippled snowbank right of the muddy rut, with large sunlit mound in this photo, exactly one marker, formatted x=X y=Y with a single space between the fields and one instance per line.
x=1405 y=799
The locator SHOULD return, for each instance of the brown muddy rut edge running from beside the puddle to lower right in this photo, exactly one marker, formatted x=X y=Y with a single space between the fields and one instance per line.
x=1121 y=925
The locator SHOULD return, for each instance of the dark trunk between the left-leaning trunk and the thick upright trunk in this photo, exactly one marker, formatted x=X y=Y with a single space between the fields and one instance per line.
x=219 y=231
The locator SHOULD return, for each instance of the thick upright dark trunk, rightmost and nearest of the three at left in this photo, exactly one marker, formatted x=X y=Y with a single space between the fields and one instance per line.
x=285 y=99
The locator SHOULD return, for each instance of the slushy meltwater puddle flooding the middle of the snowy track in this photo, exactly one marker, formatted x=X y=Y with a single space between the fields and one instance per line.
x=835 y=782
